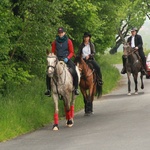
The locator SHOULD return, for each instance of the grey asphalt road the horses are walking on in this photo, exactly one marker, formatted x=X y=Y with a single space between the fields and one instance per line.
x=119 y=122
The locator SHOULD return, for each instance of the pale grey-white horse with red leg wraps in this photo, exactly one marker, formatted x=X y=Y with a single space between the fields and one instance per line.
x=62 y=86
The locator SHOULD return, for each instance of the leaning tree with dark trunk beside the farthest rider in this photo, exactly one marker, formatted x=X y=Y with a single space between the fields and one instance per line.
x=135 y=17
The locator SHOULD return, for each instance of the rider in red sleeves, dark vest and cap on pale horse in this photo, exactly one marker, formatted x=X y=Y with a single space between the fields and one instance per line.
x=63 y=48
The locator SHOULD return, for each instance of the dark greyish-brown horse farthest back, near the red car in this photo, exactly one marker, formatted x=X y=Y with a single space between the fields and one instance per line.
x=133 y=66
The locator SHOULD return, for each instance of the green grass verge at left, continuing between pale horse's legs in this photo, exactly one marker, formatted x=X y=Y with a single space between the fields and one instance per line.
x=27 y=109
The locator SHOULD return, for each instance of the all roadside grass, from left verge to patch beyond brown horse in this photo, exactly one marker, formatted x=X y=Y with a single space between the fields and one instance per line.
x=26 y=108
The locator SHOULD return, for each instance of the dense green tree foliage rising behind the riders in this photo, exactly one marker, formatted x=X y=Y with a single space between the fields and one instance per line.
x=28 y=28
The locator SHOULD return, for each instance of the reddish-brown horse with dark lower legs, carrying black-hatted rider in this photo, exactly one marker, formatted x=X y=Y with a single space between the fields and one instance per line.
x=88 y=84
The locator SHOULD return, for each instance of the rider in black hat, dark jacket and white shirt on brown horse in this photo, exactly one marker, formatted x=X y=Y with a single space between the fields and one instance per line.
x=87 y=51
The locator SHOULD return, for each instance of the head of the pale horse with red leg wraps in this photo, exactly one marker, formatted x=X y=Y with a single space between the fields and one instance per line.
x=52 y=61
